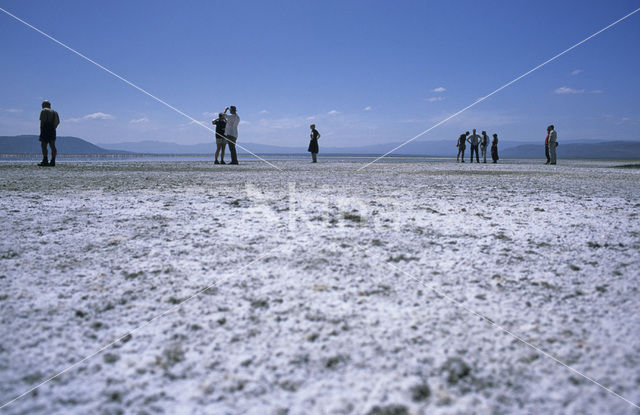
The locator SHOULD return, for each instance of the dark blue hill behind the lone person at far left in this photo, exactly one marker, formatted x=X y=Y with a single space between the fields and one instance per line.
x=29 y=144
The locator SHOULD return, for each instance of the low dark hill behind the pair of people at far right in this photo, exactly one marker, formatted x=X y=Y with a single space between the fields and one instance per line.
x=604 y=150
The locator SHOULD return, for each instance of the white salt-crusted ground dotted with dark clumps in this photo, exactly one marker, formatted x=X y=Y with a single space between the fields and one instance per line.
x=322 y=300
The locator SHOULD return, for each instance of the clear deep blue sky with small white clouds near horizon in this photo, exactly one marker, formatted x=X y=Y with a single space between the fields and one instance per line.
x=365 y=72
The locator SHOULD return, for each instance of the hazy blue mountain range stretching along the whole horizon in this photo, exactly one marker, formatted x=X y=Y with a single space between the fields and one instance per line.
x=28 y=144
